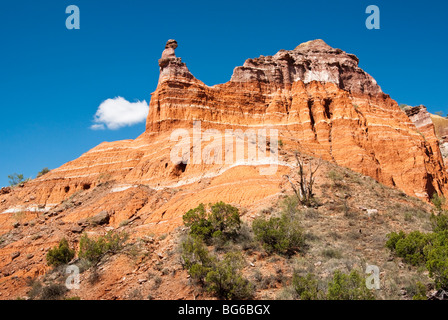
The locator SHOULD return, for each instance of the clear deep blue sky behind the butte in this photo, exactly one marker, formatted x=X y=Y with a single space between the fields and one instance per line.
x=52 y=80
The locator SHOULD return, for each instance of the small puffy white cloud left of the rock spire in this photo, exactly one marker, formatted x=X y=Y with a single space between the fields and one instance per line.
x=118 y=112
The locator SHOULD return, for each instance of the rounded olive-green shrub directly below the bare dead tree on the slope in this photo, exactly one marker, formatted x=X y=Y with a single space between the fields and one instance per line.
x=282 y=234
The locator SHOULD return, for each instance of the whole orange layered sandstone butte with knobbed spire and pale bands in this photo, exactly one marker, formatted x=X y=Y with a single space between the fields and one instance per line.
x=318 y=99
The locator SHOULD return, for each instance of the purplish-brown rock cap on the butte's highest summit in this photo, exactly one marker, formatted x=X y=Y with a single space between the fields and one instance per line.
x=310 y=61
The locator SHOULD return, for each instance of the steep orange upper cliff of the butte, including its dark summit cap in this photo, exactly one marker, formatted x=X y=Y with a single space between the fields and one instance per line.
x=322 y=103
